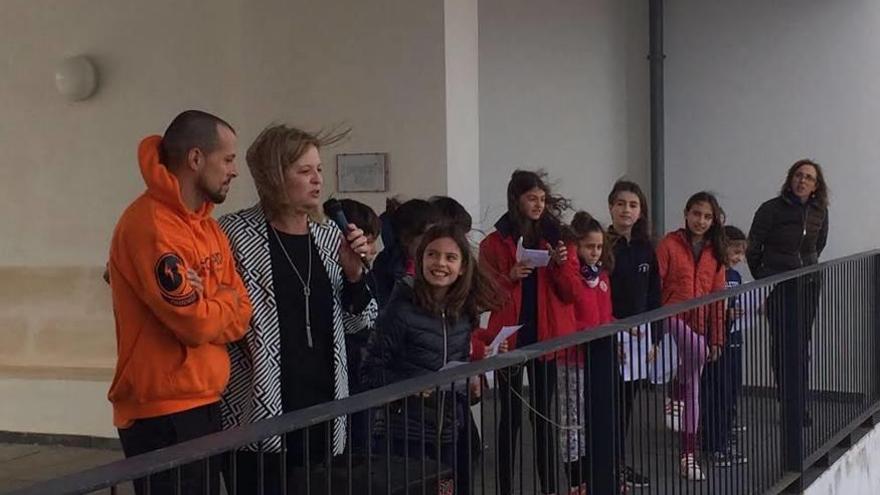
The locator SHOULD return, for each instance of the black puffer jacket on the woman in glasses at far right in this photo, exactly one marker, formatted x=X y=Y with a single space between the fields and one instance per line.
x=785 y=235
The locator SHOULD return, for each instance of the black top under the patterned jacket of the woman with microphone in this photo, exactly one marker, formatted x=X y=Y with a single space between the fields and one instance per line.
x=306 y=373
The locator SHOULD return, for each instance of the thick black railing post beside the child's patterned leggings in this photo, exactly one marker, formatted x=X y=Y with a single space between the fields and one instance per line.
x=601 y=376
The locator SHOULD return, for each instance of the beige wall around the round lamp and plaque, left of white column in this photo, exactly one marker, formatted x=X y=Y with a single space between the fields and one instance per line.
x=68 y=169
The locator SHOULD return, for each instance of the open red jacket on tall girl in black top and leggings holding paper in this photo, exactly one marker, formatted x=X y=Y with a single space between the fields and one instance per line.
x=558 y=288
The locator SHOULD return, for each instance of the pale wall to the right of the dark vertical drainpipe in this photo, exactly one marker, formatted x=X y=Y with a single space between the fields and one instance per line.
x=752 y=86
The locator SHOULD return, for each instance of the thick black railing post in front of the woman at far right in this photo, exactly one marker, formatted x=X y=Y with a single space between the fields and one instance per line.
x=793 y=380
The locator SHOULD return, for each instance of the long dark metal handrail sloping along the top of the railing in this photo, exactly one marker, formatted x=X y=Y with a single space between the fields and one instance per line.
x=177 y=455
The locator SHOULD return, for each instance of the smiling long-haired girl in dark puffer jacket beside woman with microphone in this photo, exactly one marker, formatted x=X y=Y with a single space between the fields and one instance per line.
x=425 y=327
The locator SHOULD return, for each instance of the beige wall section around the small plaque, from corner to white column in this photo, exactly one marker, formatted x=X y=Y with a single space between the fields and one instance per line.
x=375 y=66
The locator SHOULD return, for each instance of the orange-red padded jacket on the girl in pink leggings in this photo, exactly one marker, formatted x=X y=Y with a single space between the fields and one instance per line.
x=683 y=278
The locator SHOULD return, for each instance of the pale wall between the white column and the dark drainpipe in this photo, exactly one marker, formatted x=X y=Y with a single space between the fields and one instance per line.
x=563 y=86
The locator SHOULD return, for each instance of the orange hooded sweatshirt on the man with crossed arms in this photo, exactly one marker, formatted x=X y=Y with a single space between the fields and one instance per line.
x=170 y=340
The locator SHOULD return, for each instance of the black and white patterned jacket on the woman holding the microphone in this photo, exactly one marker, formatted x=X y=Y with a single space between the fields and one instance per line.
x=254 y=391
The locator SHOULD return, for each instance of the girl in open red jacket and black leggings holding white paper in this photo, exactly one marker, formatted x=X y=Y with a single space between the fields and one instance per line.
x=538 y=298
